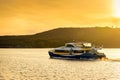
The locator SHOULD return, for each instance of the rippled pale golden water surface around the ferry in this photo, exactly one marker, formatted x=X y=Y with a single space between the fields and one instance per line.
x=35 y=64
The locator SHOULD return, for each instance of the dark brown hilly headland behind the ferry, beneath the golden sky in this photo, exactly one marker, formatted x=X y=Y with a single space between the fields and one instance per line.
x=108 y=37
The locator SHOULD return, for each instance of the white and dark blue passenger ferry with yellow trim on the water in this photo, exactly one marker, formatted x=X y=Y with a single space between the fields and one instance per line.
x=79 y=50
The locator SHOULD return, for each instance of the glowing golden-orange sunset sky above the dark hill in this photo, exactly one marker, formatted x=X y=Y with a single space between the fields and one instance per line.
x=18 y=17
